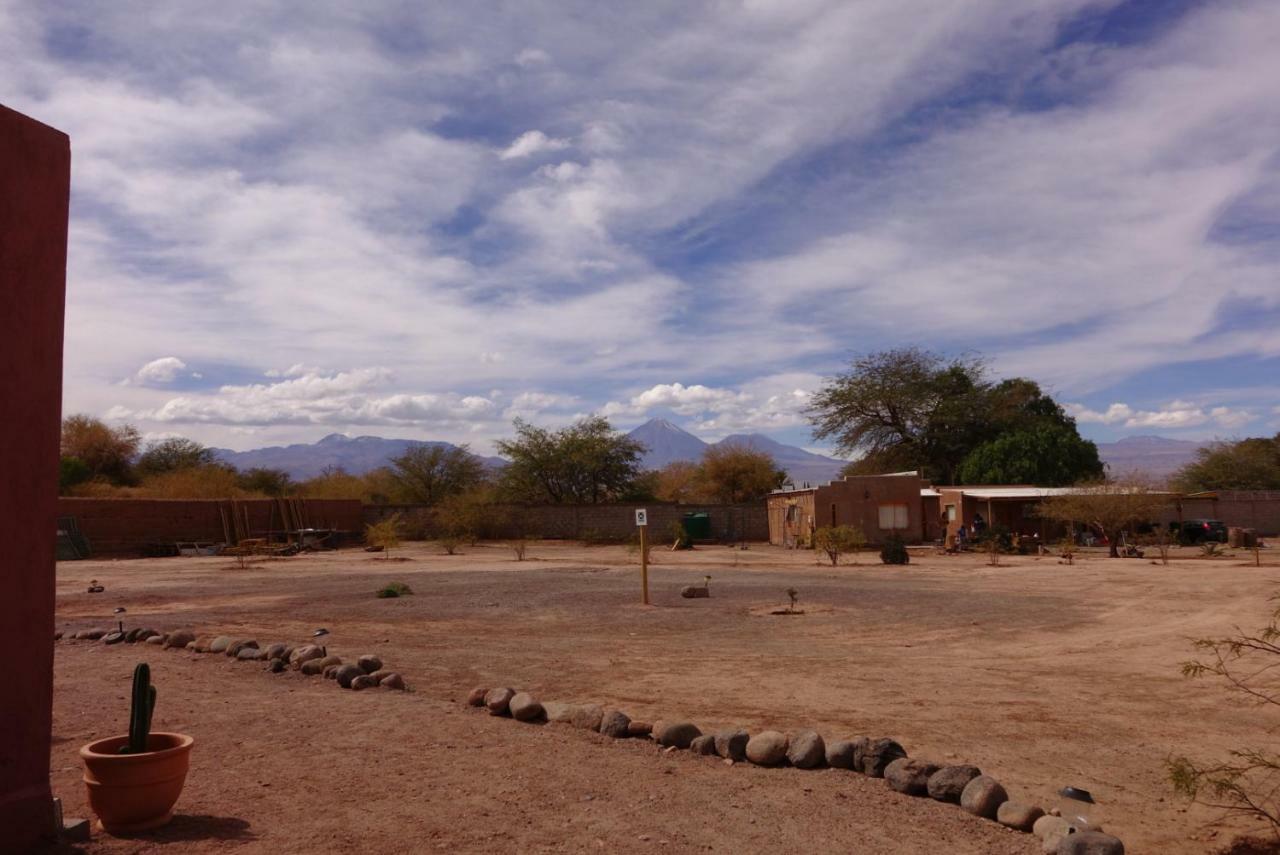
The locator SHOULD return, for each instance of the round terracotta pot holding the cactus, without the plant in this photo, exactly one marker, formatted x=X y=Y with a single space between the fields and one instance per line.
x=132 y=793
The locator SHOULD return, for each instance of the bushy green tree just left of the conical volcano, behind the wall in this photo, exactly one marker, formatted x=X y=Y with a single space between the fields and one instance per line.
x=587 y=463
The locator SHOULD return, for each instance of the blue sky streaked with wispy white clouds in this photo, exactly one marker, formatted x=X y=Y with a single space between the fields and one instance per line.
x=426 y=221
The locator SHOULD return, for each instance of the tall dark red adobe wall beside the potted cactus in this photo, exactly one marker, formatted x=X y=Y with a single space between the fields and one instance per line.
x=35 y=186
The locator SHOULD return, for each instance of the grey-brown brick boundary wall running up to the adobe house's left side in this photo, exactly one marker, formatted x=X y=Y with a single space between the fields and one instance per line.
x=591 y=522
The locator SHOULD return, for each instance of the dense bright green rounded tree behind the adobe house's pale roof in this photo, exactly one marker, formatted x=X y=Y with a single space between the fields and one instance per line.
x=1045 y=455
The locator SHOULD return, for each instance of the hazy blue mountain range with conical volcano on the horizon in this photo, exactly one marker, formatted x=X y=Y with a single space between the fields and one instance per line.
x=666 y=442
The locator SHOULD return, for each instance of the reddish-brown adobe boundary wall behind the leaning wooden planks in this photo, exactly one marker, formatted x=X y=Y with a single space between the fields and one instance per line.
x=118 y=528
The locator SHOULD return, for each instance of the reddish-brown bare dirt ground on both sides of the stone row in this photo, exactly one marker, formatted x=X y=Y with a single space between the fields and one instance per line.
x=1041 y=674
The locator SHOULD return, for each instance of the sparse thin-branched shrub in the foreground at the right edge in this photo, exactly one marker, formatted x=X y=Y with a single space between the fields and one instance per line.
x=1247 y=783
